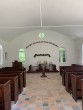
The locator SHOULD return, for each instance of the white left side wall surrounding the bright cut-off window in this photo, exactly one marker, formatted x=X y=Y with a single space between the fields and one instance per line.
x=4 y=46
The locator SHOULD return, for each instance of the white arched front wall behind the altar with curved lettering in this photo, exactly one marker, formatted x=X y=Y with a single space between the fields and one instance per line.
x=42 y=48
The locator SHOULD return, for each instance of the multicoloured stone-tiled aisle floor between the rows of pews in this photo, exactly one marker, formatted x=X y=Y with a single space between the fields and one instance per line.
x=45 y=94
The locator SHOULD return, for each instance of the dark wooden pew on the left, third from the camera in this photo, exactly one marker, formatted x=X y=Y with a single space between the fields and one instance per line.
x=20 y=79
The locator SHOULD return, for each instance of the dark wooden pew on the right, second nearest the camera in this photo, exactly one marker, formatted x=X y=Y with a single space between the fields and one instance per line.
x=76 y=86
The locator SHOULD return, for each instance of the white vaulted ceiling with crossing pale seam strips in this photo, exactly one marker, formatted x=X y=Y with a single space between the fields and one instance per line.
x=21 y=16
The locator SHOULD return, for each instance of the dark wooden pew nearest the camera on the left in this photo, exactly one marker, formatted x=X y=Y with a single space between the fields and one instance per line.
x=5 y=95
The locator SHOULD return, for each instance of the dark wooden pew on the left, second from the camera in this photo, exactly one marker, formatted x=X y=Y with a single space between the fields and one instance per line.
x=14 y=85
